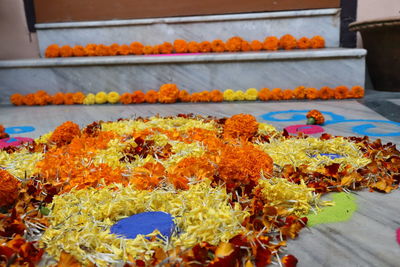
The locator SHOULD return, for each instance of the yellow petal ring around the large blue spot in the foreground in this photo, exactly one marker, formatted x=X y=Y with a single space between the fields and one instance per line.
x=81 y=220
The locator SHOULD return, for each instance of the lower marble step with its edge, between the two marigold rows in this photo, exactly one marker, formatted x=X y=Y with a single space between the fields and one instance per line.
x=284 y=69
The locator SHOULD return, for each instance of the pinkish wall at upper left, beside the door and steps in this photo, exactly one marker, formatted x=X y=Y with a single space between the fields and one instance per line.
x=16 y=41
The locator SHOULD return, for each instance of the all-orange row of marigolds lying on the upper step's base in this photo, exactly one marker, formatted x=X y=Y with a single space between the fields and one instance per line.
x=234 y=44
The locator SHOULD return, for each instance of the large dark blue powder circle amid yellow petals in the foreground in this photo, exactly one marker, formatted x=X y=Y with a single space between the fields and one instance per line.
x=145 y=223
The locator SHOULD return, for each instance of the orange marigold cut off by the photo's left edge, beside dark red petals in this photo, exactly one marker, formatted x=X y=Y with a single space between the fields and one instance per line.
x=8 y=189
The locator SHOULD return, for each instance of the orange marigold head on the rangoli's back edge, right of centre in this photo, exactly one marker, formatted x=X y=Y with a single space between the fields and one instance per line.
x=242 y=126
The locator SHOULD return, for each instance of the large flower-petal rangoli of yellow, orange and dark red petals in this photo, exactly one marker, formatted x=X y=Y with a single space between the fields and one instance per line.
x=237 y=190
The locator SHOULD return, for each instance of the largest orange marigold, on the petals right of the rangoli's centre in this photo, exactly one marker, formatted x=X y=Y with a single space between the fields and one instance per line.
x=243 y=164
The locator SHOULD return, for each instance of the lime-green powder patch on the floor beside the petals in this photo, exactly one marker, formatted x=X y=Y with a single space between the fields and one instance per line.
x=344 y=207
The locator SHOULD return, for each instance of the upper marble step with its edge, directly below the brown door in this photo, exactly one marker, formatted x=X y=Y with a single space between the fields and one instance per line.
x=250 y=26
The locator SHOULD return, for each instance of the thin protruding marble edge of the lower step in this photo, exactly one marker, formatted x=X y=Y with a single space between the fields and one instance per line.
x=197 y=58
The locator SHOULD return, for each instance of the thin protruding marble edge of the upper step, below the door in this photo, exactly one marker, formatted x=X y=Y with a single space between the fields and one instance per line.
x=192 y=19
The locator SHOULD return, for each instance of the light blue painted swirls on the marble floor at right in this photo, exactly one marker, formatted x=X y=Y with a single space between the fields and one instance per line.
x=364 y=127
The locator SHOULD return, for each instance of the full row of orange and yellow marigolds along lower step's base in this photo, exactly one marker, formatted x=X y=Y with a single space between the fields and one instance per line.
x=170 y=93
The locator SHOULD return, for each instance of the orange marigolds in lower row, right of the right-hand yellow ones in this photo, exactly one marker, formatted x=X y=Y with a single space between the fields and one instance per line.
x=301 y=92
